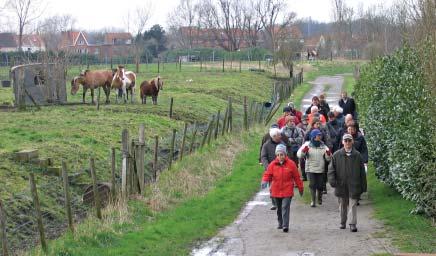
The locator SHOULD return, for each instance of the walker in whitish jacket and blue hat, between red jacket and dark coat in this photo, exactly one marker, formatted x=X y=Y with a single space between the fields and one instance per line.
x=316 y=154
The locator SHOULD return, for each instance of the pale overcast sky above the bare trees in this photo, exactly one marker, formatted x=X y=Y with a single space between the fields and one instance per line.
x=97 y=14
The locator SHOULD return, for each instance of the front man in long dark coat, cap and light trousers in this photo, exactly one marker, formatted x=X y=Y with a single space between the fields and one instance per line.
x=347 y=175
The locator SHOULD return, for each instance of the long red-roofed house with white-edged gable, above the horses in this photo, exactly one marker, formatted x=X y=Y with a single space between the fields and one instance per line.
x=111 y=45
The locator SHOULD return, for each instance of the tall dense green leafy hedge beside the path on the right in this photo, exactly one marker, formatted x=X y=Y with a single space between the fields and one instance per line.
x=395 y=107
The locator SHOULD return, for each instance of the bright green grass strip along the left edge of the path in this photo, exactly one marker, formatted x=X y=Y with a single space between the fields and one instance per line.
x=175 y=231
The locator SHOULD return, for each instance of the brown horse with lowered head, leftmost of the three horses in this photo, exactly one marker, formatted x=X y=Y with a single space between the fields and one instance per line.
x=92 y=80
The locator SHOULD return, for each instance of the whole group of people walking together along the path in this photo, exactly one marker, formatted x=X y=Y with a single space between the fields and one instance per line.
x=323 y=144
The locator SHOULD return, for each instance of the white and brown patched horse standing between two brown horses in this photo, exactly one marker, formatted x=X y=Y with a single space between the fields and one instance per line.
x=124 y=80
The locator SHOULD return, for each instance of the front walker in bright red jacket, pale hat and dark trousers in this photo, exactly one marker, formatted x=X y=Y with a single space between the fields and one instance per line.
x=282 y=173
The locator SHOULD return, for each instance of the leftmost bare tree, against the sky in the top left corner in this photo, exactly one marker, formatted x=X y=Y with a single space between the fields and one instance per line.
x=26 y=11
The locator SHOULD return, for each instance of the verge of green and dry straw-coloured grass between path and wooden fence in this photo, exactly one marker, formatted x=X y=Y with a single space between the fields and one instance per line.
x=210 y=196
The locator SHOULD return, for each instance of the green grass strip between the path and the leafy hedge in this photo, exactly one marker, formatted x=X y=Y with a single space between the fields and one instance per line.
x=410 y=232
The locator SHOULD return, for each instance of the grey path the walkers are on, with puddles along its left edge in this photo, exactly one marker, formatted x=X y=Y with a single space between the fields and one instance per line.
x=312 y=231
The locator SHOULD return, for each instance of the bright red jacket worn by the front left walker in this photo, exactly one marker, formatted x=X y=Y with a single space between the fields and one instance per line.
x=283 y=178
